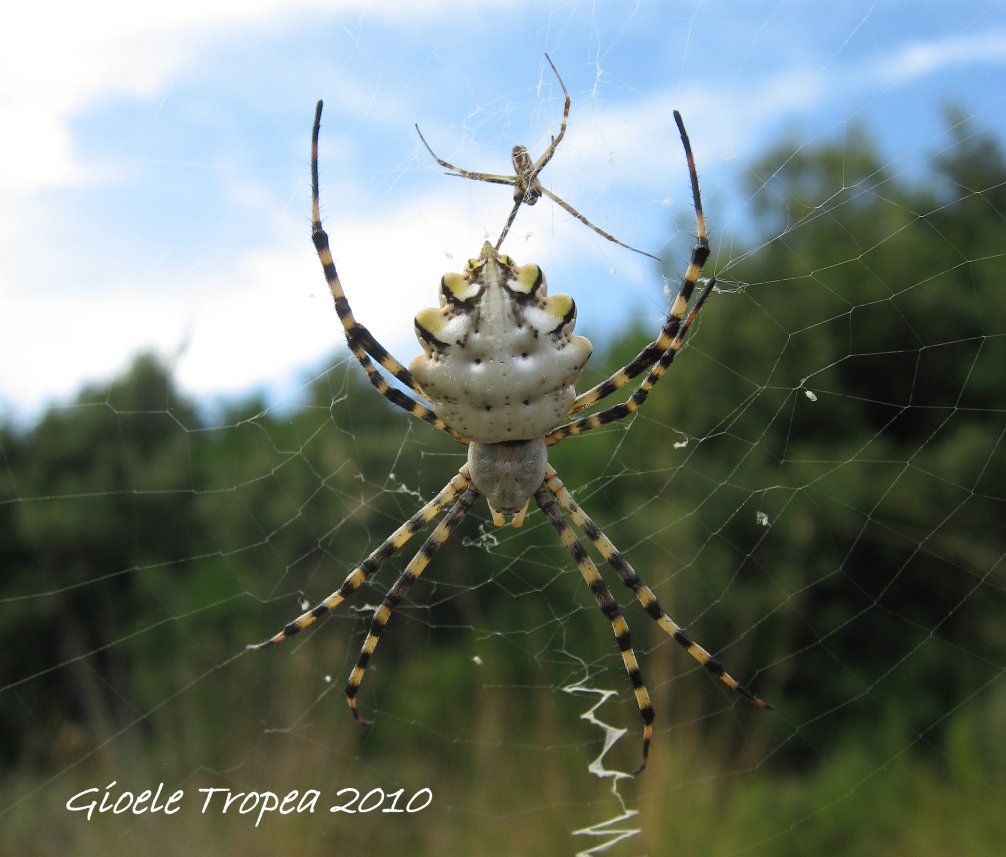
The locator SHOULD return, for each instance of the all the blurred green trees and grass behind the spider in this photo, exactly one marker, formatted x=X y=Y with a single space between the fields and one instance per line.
x=833 y=526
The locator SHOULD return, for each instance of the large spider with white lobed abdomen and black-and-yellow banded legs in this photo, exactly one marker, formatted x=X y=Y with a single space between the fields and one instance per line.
x=497 y=373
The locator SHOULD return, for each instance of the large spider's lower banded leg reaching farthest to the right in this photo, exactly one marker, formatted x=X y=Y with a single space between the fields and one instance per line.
x=643 y=593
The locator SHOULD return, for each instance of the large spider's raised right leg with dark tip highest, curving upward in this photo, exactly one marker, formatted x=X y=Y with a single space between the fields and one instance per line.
x=701 y=254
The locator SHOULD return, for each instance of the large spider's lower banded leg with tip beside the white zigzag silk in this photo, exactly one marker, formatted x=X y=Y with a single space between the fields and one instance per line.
x=609 y=607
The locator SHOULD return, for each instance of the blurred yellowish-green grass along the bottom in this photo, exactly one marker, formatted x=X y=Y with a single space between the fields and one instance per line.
x=505 y=785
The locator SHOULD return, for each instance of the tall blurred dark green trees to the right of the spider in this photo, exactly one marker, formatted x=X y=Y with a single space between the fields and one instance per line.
x=883 y=488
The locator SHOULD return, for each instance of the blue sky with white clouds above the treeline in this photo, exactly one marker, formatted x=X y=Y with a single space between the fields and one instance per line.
x=154 y=185
